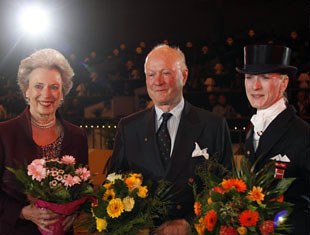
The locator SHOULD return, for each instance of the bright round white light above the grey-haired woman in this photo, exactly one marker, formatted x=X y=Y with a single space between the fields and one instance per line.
x=34 y=20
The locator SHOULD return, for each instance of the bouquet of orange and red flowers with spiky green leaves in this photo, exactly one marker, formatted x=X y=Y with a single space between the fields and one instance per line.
x=242 y=202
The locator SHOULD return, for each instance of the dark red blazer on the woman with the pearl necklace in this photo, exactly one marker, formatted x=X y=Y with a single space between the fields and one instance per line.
x=17 y=146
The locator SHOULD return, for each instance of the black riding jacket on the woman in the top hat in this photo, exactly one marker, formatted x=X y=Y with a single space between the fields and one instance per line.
x=288 y=135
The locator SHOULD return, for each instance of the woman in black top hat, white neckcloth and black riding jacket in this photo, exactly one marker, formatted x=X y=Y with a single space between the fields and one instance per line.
x=278 y=133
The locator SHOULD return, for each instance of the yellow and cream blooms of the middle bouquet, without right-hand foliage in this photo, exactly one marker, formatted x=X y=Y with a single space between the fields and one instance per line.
x=120 y=207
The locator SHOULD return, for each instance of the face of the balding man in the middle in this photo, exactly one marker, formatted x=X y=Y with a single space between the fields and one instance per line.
x=165 y=78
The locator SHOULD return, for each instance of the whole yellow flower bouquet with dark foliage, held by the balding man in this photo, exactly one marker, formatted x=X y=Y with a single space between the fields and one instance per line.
x=128 y=204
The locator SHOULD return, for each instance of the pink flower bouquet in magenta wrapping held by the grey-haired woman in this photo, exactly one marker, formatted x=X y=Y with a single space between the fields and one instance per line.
x=56 y=184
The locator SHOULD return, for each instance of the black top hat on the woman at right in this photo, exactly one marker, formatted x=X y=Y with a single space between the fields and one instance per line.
x=260 y=59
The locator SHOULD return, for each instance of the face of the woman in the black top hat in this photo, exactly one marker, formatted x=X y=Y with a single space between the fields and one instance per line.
x=264 y=90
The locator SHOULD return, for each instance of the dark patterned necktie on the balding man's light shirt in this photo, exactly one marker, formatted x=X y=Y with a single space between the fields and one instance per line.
x=163 y=139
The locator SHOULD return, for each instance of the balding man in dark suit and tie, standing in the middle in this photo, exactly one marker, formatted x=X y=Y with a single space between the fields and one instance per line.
x=136 y=144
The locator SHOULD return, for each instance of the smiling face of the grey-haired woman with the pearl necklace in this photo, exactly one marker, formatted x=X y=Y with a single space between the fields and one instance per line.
x=44 y=91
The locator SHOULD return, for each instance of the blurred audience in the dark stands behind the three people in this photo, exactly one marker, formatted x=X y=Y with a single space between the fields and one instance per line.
x=102 y=78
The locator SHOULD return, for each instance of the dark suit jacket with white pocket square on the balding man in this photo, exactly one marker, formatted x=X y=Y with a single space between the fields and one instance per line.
x=136 y=149
